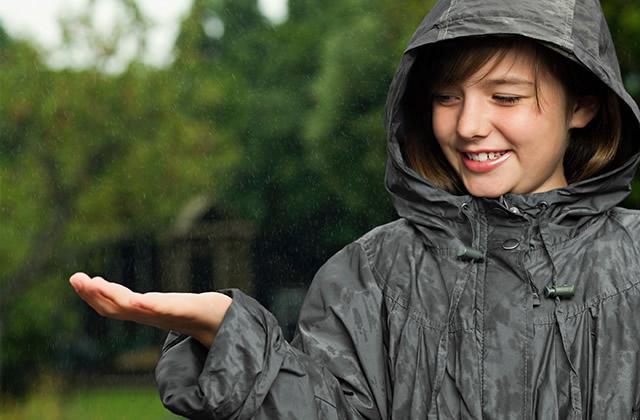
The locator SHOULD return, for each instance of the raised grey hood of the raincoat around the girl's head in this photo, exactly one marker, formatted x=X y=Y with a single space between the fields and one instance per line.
x=576 y=29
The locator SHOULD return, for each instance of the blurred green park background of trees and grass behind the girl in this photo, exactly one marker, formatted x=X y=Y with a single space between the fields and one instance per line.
x=260 y=141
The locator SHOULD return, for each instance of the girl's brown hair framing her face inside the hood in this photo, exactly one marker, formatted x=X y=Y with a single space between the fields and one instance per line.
x=591 y=149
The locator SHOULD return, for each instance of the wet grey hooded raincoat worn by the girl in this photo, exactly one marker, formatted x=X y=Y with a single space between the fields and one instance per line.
x=433 y=316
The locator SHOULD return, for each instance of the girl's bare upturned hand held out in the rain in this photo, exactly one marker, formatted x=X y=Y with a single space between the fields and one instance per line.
x=196 y=314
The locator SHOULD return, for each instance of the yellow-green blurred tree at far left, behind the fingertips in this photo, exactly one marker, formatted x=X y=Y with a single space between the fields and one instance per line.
x=87 y=157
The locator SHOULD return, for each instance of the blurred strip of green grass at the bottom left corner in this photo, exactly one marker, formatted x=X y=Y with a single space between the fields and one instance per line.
x=103 y=403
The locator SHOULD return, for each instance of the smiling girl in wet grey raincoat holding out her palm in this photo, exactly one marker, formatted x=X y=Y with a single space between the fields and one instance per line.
x=507 y=289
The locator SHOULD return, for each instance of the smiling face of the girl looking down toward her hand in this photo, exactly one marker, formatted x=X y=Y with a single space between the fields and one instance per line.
x=496 y=136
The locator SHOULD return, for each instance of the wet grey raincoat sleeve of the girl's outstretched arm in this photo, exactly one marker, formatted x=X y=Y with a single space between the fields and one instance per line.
x=334 y=369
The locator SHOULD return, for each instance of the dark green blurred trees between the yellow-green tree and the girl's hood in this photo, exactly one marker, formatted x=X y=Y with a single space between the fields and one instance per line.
x=304 y=102
